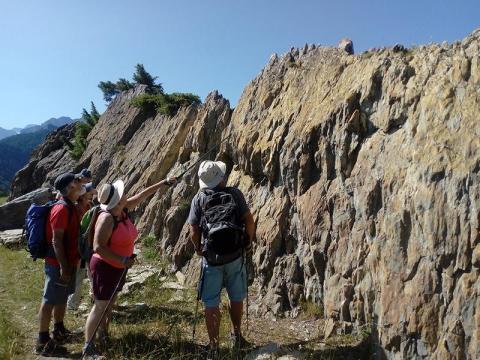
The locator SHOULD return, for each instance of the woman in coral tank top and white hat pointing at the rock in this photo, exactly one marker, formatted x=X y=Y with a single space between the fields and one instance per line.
x=113 y=246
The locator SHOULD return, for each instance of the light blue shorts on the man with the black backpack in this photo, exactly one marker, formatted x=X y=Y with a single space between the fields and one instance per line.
x=231 y=276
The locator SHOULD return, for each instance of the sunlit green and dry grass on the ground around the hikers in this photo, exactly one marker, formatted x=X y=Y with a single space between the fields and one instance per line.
x=159 y=328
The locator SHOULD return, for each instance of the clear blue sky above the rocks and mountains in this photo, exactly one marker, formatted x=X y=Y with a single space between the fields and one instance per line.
x=54 y=53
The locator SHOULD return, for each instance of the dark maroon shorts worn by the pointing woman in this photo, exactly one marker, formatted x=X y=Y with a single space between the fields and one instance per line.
x=105 y=278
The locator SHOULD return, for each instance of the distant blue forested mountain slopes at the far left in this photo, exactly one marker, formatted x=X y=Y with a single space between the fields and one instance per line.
x=16 y=148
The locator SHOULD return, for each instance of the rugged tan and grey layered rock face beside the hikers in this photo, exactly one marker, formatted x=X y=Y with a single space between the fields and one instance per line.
x=362 y=173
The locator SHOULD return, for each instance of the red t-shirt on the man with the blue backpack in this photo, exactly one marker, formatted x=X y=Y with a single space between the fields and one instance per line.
x=59 y=220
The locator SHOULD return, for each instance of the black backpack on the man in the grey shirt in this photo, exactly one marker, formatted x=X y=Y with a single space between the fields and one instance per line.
x=222 y=226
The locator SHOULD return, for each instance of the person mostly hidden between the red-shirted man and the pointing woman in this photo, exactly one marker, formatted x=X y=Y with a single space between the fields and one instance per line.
x=84 y=203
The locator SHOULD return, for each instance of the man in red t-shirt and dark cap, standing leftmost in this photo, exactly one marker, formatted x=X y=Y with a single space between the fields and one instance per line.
x=62 y=228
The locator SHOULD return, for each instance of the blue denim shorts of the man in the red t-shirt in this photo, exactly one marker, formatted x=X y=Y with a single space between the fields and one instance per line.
x=55 y=292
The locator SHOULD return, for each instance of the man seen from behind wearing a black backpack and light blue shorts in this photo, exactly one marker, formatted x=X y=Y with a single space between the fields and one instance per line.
x=222 y=248
